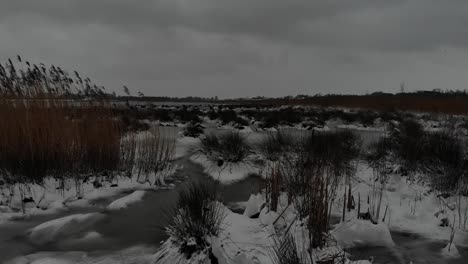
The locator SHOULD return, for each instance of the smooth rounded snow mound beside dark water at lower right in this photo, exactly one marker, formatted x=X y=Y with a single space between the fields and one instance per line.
x=361 y=232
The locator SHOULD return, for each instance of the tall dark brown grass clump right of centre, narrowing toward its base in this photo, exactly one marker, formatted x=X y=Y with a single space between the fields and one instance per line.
x=311 y=177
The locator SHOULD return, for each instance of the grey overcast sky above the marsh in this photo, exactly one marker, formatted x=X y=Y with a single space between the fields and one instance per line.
x=237 y=48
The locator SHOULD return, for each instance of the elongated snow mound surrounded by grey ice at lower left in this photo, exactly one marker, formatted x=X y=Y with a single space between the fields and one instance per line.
x=64 y=227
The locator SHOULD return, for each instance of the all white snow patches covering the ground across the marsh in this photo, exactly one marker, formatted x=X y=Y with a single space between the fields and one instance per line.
x=412 y=207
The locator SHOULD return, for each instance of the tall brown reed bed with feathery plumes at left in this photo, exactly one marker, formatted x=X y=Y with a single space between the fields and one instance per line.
x=53 y=125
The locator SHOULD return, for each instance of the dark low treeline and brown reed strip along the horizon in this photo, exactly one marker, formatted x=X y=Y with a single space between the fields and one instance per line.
x=431 y=101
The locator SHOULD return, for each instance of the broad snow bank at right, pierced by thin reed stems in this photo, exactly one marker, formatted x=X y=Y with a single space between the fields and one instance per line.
x=412 y=206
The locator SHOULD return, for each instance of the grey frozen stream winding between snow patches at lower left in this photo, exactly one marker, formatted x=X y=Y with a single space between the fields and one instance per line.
x=141 y=223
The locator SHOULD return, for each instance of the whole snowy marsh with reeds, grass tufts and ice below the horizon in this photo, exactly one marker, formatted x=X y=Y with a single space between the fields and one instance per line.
x=88 y=181
